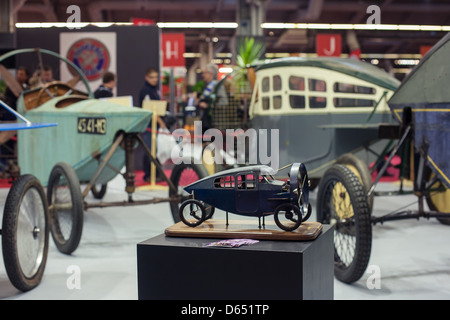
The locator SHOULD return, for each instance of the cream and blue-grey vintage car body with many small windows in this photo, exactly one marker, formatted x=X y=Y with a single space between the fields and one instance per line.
x=338 y=102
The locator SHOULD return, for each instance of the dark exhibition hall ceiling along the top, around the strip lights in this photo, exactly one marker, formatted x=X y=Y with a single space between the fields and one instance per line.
x=281 y=40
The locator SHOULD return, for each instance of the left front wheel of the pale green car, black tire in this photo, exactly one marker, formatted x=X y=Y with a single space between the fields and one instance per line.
x=65 y=207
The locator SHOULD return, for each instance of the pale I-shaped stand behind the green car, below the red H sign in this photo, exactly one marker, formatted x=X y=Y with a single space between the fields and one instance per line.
x=158 y=108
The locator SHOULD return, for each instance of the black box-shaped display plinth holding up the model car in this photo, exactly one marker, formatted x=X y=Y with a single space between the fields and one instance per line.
x=173 y=268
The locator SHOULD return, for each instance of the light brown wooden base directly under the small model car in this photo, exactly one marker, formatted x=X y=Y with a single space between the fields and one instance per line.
x=245 y=229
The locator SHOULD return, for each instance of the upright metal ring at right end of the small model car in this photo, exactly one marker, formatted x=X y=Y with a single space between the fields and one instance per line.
x=299 y=185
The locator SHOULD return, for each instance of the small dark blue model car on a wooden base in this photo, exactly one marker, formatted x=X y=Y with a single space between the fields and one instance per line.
x=250 y=191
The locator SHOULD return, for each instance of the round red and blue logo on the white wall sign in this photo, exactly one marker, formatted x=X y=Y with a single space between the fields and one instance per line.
x=91 y=56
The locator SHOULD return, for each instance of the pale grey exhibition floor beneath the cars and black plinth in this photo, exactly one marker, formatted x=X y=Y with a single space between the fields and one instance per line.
x=412 y=256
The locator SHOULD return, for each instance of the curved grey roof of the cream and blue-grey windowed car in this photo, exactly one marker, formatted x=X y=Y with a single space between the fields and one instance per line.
x=352 y=67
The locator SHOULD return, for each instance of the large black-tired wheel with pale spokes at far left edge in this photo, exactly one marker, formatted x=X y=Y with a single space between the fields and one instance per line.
x=25 y=233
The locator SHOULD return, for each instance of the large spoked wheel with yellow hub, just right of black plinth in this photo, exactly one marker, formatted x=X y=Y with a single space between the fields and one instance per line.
x=342 y=201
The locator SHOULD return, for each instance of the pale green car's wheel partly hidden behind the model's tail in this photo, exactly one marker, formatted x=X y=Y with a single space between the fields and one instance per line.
x=183 y=175
